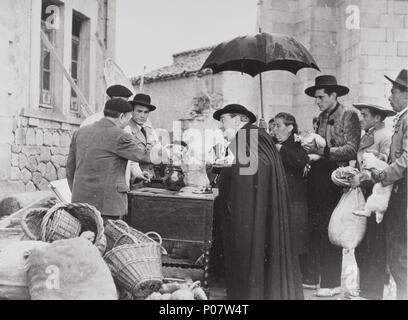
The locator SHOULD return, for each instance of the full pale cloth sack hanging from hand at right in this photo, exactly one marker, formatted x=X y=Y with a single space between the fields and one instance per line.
x=346 y=230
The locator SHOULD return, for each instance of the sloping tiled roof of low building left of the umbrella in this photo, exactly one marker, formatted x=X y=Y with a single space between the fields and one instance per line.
x=182 y=68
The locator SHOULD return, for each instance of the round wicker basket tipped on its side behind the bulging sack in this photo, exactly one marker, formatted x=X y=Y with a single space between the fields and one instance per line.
x=59 y=222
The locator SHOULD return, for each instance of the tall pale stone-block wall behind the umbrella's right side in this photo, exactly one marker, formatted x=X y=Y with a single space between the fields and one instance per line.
x=358 y=57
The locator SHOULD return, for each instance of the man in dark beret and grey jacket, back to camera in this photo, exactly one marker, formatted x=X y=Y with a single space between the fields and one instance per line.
x=97 y=161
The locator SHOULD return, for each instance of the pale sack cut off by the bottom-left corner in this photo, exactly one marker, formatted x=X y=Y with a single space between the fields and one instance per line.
x=13 y=269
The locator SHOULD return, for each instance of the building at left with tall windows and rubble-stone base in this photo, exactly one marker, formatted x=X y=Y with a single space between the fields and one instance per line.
x=38 y=110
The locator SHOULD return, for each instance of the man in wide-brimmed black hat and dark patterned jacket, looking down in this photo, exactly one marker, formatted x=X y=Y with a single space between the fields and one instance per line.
x=340 y=127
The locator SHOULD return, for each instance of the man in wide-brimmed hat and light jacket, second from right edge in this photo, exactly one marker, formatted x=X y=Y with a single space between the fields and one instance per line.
x=371 y=253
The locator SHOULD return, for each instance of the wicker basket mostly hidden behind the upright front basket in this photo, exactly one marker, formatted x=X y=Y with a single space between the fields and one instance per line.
x=114 y=230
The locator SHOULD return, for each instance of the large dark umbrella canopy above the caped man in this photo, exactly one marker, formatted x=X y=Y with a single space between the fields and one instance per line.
x=258 y=53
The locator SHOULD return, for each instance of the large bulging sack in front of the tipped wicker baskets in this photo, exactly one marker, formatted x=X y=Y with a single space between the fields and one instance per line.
x=69 y=270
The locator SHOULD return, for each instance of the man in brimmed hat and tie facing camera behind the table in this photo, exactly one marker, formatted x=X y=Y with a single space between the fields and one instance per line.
x=142 y=130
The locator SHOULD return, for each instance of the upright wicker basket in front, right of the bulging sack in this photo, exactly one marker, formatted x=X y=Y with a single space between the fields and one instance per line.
x=136 y=267
